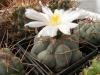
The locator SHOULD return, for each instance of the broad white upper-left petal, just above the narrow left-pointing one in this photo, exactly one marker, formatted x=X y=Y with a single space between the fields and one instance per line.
x=32 y=14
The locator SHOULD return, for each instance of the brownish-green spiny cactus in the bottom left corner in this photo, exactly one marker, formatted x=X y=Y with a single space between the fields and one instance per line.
x=9 y=64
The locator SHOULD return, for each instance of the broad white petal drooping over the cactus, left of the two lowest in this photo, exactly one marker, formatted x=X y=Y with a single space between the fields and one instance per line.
x=48 y=31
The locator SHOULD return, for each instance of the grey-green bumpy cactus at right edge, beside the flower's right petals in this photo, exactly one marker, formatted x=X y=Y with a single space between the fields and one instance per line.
x=89 y=32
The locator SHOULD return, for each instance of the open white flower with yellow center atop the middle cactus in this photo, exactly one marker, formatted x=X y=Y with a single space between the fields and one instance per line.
x=60 y=19
